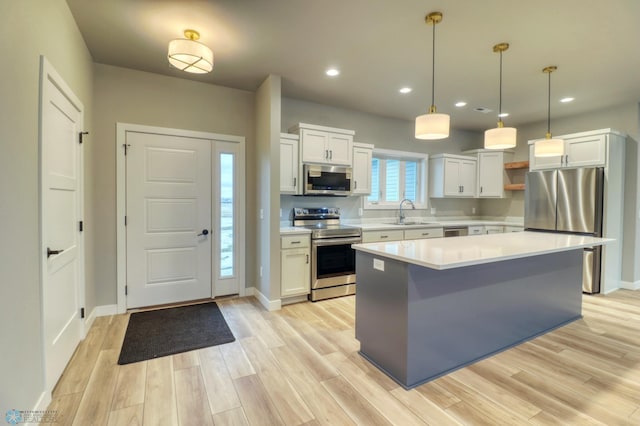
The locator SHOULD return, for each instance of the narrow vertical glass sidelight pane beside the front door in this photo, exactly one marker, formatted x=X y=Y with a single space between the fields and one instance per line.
x=226 y=215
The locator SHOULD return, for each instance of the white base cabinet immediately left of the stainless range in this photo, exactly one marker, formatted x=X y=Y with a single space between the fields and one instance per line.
x=295 y=265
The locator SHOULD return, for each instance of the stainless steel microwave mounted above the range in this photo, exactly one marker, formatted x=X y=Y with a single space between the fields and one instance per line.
x=327 y=180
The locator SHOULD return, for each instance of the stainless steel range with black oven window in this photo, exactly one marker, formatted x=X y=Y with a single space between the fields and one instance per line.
x=333 y=261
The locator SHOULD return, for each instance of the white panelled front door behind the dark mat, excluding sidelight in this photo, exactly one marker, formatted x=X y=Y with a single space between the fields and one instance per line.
x=168 y=218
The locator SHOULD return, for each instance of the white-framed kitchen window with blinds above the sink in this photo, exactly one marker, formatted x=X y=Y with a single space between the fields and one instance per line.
x=396 y=175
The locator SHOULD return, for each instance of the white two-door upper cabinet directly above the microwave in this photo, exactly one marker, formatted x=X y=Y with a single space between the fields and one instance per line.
x=325 y=145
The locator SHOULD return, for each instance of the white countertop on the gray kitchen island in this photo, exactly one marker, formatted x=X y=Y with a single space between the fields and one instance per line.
x=455 y=252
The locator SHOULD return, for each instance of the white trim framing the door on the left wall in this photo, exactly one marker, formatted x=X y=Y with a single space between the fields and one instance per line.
x=48 y=72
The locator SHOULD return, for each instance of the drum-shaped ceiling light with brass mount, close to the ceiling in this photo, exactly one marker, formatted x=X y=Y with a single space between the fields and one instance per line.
x=187 y=54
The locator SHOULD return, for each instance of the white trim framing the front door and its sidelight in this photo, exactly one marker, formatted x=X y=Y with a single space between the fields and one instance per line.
x=121 y=197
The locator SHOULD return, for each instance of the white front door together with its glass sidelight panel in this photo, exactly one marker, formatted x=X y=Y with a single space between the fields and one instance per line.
x=182 y=227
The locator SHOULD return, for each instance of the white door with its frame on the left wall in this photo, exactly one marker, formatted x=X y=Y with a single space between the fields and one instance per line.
x=61 y=121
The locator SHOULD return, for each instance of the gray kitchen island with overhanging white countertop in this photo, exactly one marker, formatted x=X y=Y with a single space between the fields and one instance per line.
x=428 y=307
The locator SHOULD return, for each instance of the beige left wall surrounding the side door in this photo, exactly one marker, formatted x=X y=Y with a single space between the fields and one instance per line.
x=29 y=29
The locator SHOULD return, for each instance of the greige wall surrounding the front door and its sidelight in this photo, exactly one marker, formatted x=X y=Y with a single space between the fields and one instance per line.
x=124 y=95
